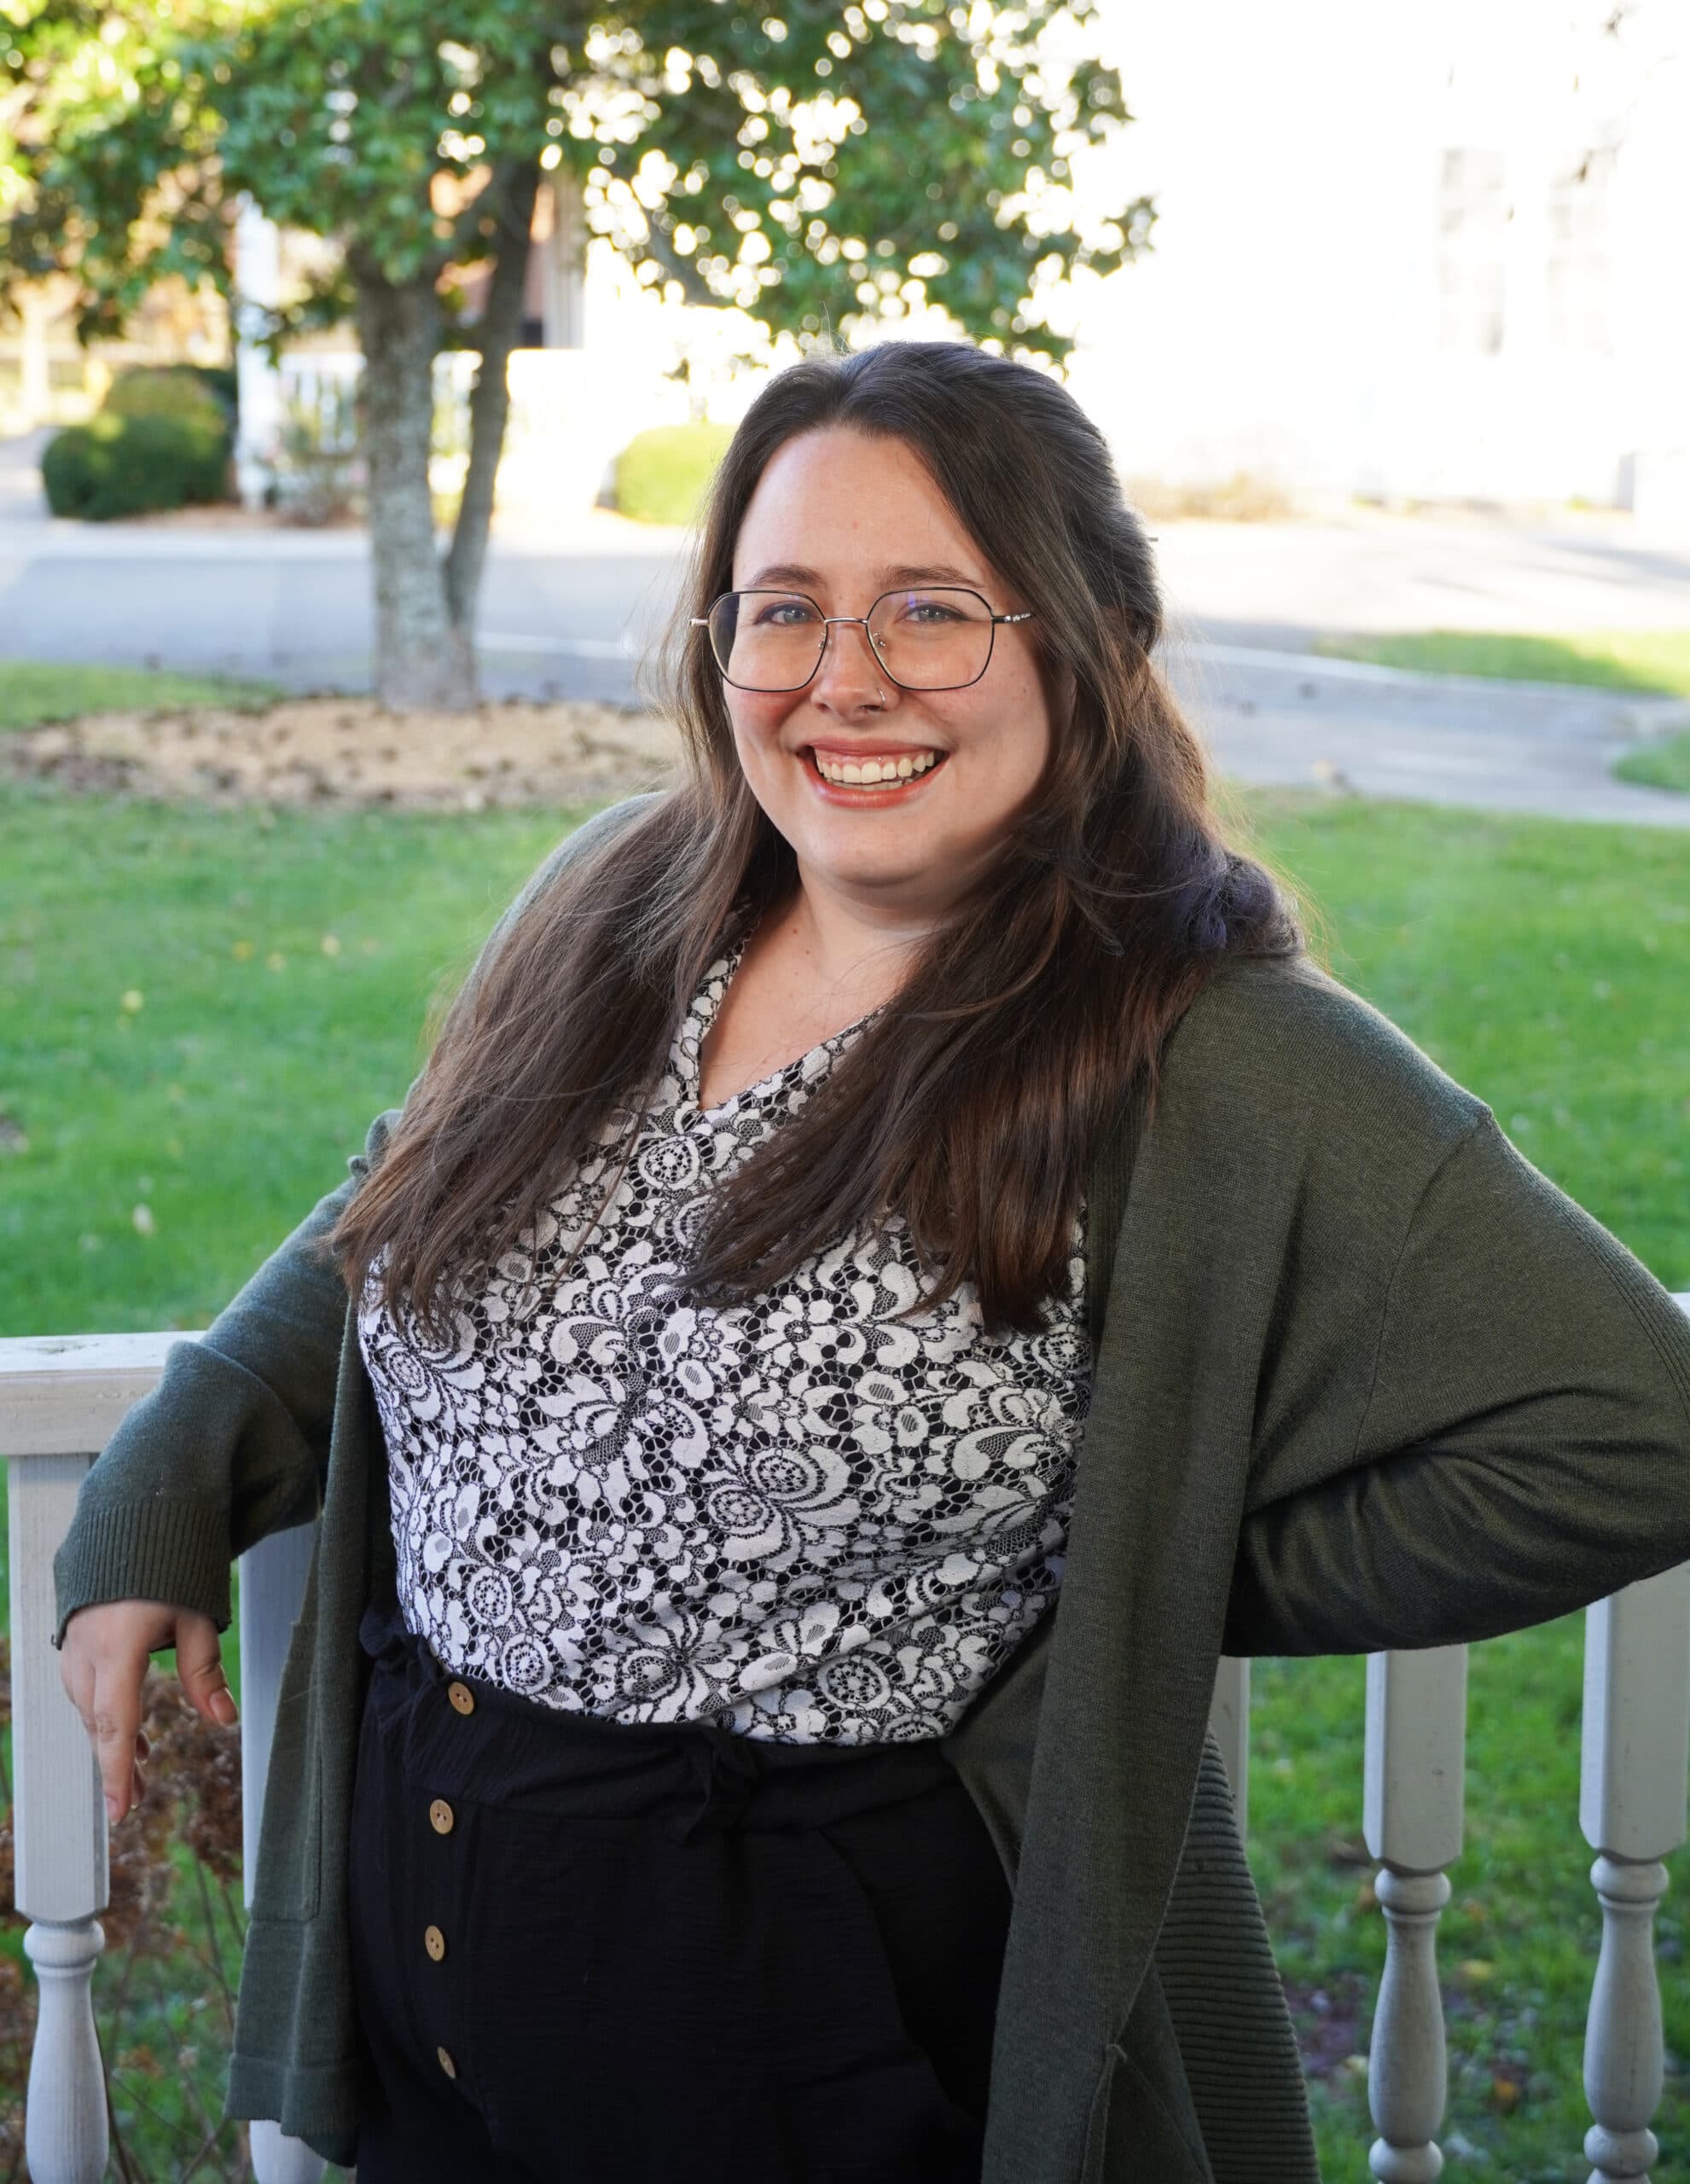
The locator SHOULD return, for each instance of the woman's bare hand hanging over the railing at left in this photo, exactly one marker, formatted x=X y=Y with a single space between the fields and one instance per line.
x=104 y=1665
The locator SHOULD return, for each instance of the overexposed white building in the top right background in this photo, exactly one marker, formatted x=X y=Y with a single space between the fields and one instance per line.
x=1429 y=252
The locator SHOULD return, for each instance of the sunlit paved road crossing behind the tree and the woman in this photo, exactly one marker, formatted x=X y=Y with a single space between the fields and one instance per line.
x=569 y=615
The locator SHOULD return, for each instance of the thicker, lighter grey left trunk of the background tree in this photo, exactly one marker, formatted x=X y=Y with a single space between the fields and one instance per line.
x=422 y=656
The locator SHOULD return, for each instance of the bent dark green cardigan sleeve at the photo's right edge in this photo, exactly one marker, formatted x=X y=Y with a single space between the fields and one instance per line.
x=1523 y=1443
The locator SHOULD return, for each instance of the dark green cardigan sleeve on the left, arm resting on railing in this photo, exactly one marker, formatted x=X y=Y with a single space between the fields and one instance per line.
x=233 y=1445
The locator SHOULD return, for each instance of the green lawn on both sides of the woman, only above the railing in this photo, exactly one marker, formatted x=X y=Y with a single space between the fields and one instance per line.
x=195 y=1045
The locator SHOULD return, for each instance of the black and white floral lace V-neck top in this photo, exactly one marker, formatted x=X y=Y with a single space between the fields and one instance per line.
x=792 y=1517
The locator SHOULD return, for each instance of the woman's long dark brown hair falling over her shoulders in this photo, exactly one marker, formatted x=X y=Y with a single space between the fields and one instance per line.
x=973 y=1104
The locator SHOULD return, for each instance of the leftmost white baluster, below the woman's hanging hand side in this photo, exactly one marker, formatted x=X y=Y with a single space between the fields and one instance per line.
x=60 y=1820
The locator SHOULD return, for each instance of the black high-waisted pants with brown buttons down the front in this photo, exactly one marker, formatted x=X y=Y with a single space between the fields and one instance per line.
x=591 y=1954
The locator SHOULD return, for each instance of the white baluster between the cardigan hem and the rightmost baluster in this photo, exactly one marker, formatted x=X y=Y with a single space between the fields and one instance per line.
x=1412 y=1818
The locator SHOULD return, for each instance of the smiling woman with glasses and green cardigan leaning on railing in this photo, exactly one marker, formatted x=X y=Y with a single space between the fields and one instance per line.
x=894 y=1266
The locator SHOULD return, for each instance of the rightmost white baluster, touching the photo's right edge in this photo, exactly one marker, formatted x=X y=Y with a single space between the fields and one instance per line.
x=1632 y=1809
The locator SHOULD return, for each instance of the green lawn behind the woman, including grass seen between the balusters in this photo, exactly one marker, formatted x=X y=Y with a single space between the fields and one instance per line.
x=200 y=1014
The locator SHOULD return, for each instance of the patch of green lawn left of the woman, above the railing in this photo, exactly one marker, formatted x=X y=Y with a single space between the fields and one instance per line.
x=200 y=1014
